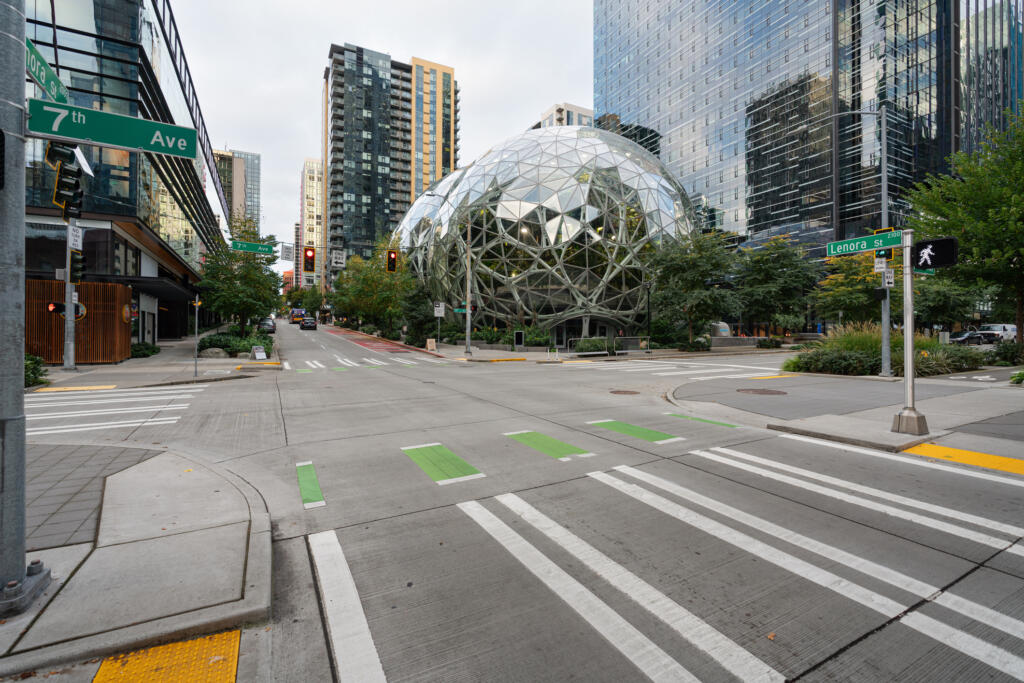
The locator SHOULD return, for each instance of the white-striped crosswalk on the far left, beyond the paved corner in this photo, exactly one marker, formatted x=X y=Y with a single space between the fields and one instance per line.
x=72 y=411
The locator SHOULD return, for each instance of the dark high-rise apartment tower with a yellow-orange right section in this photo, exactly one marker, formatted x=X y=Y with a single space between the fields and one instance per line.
x=392 y=130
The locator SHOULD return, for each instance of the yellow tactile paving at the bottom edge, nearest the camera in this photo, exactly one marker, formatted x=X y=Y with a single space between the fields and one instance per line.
x=208 y=660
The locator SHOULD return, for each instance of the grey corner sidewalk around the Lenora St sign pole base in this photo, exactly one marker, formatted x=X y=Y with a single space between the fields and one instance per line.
x=860 y=411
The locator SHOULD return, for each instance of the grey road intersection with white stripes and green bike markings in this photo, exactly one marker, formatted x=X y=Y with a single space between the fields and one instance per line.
x=447 y=521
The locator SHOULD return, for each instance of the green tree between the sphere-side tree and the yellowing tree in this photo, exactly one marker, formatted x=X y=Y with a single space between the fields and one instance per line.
x=774 y=282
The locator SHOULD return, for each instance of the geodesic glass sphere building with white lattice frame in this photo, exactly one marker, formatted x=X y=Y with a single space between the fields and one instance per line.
x=560 y=223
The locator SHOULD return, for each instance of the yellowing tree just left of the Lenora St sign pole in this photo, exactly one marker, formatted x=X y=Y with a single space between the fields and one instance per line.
x=849 y=289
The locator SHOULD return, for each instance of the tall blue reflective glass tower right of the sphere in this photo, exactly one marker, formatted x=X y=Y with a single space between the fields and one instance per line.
x=753 y=105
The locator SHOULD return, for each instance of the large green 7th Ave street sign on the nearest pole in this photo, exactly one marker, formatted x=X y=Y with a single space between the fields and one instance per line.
x=78 y=124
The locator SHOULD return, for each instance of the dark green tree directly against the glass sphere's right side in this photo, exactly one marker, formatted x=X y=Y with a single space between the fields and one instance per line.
x=690 y=279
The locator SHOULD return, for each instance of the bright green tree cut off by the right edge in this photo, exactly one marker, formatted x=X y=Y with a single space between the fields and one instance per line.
x=983 y=205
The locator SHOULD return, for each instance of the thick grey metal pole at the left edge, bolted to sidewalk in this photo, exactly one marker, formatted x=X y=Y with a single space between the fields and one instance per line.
x=20 y=585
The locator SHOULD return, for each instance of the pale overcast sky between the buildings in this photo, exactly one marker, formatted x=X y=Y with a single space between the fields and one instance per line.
x=259 y=67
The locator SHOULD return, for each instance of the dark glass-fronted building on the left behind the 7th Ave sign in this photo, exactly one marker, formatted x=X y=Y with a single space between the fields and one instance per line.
x=148 y=220
